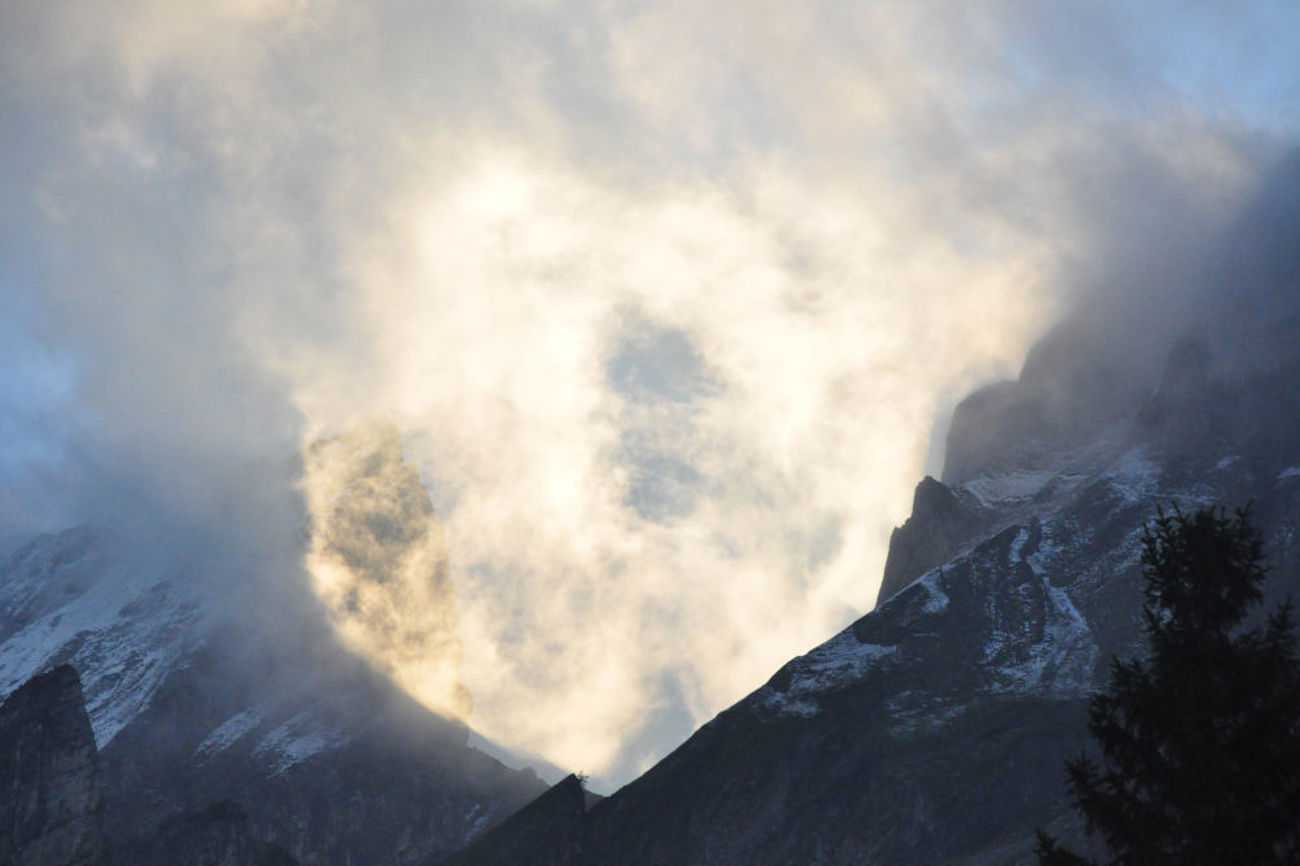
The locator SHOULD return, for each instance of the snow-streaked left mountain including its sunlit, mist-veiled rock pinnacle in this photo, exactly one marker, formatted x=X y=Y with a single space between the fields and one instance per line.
x=194 y=698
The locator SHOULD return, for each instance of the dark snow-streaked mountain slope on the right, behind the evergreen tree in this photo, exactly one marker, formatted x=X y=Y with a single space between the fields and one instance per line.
x=935 y=729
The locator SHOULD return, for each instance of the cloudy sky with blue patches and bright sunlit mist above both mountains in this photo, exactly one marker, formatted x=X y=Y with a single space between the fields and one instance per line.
x=670 y=301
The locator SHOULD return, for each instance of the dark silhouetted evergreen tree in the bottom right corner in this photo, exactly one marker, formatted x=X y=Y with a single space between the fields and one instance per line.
x=1201 y=743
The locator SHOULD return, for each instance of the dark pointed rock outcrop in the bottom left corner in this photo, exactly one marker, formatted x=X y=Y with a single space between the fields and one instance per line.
x=51 y=794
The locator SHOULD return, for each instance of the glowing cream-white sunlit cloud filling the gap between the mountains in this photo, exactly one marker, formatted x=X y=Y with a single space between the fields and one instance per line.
x=496 y=300
